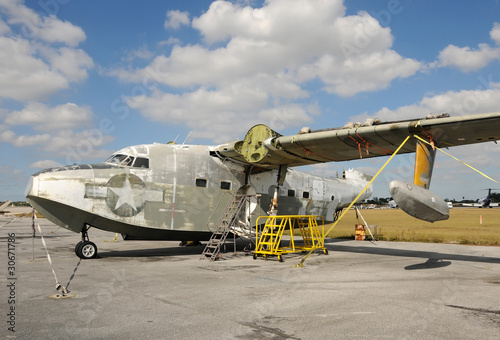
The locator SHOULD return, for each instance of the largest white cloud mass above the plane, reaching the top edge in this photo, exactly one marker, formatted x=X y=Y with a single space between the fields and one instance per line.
x=257 y=61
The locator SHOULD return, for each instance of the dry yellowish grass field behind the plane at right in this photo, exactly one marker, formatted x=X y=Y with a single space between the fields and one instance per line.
x=462 y=227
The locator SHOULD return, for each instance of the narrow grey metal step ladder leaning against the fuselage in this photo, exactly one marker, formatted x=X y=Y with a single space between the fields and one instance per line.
x=227 y=221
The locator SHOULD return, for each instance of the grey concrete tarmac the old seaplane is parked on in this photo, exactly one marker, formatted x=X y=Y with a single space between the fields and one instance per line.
x=158 y=290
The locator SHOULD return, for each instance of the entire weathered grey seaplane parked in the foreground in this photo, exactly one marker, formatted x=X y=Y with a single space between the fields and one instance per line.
x=176 y=192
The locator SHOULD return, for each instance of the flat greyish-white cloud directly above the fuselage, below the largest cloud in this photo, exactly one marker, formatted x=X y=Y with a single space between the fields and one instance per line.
x=212 y=113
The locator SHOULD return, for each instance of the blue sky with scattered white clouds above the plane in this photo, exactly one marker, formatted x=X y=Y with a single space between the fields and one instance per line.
x=82 y=79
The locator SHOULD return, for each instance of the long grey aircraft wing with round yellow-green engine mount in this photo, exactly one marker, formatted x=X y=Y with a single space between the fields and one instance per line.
x=265 y=148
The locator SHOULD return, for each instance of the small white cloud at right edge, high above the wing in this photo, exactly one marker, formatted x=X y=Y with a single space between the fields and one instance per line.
x=471 y=59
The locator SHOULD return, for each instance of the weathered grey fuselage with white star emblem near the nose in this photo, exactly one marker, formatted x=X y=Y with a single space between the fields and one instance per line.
x=176 y=192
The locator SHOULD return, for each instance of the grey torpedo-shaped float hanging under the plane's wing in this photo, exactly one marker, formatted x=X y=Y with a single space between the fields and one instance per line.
x=419 y=202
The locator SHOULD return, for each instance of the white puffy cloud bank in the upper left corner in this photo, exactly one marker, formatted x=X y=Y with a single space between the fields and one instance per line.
x=31 y=68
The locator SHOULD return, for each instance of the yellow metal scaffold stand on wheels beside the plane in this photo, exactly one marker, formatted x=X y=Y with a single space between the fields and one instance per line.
x=268 y=241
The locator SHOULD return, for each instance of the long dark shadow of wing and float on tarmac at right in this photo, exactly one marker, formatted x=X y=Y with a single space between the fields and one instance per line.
x=433 y=259
